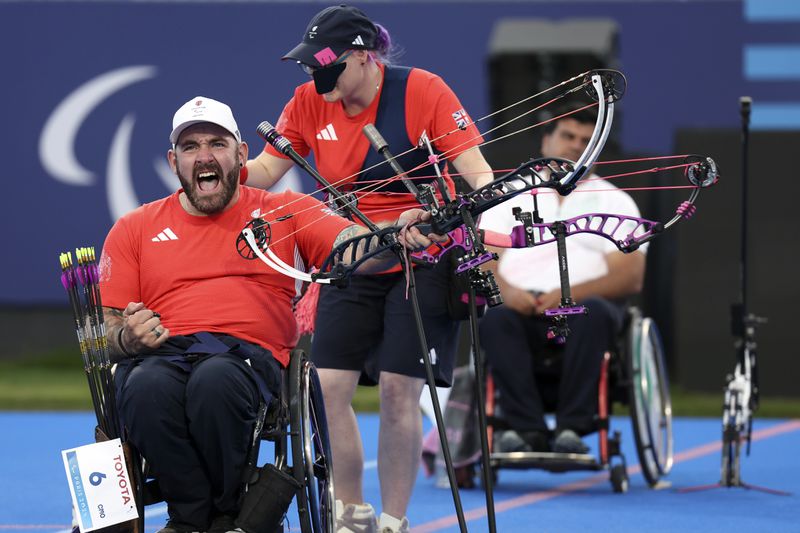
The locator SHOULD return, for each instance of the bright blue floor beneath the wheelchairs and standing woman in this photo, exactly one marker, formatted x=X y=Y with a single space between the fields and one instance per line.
x=35 y=496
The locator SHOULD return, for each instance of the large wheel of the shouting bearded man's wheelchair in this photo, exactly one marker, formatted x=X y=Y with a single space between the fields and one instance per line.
x=311 y=452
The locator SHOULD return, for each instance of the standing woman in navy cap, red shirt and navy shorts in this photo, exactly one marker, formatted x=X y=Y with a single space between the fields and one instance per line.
x=366 y=326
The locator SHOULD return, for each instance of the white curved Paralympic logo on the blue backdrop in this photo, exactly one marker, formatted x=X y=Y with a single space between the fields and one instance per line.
x=57 y=142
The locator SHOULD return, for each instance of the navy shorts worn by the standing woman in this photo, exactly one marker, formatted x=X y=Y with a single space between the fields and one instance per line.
x=369 y=326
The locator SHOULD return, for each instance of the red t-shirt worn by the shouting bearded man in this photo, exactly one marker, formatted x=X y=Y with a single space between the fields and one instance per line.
x=187 y=267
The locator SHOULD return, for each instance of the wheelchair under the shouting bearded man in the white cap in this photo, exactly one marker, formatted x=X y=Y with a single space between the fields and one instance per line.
x=297 y=426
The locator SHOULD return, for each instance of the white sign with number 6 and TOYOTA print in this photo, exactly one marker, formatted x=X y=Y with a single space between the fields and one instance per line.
x=100 y=486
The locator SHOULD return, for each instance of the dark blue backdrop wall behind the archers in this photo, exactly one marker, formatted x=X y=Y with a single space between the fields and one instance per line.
x=89 y=90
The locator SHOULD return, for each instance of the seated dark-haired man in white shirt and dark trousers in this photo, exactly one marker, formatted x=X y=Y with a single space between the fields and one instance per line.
x=601 y=278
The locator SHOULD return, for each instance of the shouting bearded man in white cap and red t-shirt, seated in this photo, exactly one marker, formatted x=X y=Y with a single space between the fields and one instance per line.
x=200 y=331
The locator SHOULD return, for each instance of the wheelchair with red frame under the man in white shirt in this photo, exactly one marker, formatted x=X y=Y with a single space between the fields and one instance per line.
x=633 y=374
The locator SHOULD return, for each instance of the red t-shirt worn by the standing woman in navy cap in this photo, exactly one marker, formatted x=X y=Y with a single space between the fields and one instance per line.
x=340 y=147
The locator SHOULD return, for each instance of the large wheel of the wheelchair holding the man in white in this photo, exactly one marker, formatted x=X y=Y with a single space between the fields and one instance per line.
x=651 y=407
